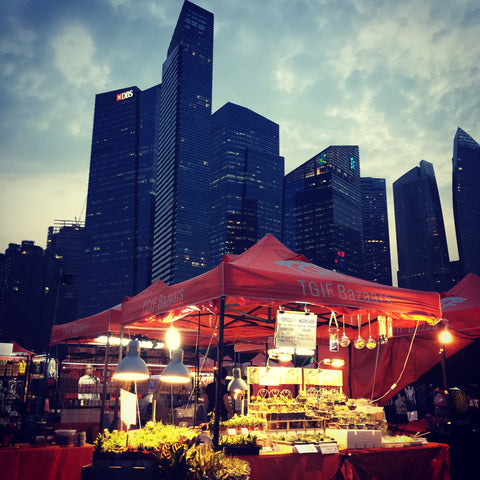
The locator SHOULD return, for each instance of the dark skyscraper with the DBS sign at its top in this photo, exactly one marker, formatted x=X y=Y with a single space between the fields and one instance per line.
x=119 y=216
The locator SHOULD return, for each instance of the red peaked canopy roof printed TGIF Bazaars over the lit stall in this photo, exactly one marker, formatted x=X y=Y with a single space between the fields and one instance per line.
x=260 y=280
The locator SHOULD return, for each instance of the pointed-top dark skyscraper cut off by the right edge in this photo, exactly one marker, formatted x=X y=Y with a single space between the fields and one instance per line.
x=466 y=200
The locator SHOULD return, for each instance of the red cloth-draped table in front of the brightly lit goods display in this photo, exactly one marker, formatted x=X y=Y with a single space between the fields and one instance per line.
x=426 y=462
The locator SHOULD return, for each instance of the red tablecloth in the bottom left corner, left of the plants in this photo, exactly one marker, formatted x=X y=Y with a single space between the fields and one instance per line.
x=44 y=462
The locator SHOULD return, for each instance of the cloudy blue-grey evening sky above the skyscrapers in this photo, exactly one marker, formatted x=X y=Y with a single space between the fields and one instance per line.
x=394 y=78
